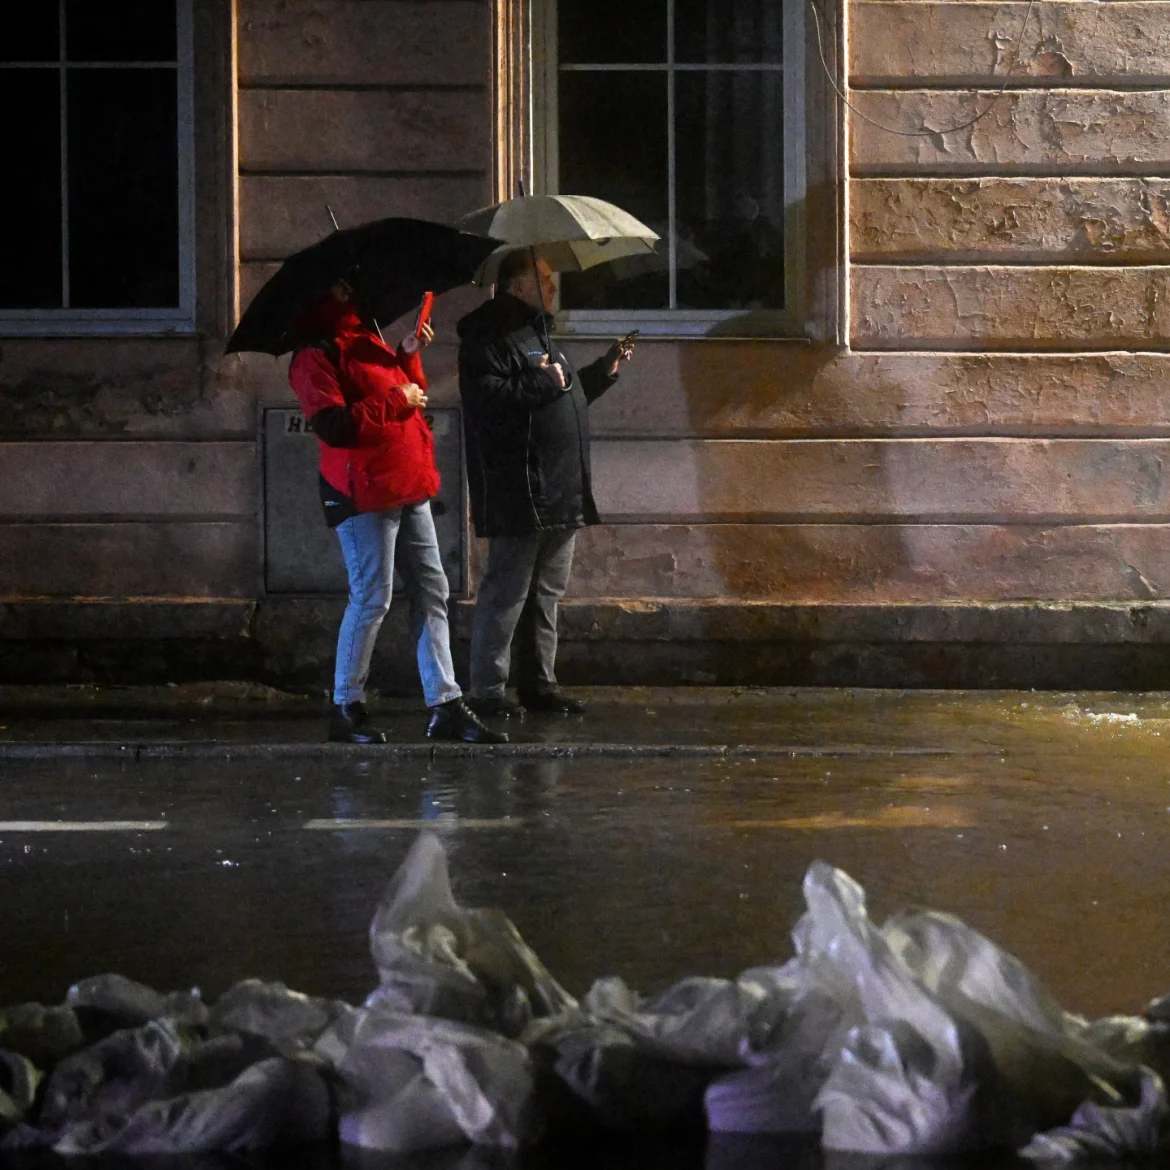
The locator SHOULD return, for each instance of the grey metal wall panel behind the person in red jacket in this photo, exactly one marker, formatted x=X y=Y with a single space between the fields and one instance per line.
x=301 y=553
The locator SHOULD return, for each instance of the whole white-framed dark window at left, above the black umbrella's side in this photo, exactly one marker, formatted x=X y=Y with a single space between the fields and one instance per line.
x=97 y=204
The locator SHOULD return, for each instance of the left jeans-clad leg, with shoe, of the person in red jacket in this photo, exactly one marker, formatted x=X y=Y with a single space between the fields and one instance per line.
x=368 y=547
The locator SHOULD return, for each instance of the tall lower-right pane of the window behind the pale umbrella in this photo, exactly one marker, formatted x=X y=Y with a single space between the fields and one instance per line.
x=731 y=190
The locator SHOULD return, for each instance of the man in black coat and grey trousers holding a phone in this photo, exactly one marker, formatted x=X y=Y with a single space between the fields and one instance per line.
x=526 y=428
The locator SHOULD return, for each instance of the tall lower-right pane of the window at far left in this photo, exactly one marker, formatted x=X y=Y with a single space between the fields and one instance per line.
x=123 y=189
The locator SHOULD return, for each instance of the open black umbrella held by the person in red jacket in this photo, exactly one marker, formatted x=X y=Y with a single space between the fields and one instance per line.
x=390 y=264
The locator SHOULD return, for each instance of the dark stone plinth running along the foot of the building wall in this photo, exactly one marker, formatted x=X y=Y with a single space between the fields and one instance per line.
x=651 y=642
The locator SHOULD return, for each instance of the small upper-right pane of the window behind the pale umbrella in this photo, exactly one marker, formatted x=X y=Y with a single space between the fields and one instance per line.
x=744 y=32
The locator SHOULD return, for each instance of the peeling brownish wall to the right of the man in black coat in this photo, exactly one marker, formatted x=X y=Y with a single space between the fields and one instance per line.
x=993 y=431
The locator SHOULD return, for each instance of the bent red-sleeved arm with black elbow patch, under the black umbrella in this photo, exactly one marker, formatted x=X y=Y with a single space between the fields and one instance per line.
x=341 y=424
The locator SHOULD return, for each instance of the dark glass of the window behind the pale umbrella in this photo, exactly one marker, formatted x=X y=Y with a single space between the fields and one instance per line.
x=729 y=140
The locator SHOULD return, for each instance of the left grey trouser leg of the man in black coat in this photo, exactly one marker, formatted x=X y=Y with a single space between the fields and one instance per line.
x=503 y=594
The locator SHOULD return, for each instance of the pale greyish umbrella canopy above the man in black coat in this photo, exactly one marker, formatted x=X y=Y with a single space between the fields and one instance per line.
x=570 y=233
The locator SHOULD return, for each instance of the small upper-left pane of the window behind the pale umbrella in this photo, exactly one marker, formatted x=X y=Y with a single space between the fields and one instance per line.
x=604 y=32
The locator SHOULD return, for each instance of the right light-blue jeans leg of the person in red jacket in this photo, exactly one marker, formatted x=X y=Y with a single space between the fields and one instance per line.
x=421 y=565
